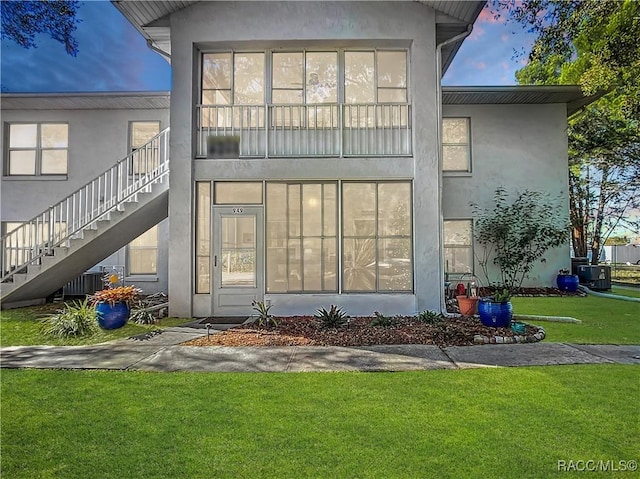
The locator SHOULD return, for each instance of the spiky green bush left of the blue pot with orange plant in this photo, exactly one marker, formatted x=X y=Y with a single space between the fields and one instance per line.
x=77 y=319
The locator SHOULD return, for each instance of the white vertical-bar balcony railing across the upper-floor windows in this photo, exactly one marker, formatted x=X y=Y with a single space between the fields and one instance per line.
x=321 y=130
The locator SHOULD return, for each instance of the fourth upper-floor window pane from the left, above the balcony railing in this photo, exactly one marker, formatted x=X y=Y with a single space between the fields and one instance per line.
x=322 y=86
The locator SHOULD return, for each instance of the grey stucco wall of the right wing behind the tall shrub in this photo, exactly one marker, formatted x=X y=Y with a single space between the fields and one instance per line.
x=518 y=147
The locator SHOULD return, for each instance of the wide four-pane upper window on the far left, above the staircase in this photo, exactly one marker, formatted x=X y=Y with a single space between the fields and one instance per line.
x=37 y=149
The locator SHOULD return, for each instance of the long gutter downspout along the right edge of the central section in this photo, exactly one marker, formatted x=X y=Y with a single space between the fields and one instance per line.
x=466 y=33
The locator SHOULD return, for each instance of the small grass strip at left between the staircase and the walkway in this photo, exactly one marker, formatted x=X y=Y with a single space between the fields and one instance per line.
x=20 y=327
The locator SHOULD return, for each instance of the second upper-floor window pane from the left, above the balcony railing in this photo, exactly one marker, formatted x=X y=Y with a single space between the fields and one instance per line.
x=248 y=78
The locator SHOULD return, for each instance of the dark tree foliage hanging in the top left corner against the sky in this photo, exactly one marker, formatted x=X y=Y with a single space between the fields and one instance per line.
x=22 y=20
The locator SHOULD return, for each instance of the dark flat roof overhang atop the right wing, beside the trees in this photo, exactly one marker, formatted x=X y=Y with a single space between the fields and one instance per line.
x=571 y=95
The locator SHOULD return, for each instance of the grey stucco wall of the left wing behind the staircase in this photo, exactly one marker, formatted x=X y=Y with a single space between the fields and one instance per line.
x=97 y=140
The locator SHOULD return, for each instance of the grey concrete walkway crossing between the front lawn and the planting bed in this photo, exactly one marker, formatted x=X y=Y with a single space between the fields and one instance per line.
x=163 y=353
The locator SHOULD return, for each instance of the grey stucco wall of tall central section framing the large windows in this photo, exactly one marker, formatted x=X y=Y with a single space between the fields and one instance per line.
x=240 y=25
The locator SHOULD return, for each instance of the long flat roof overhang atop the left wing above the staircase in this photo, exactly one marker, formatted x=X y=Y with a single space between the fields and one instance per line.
x=86 y=101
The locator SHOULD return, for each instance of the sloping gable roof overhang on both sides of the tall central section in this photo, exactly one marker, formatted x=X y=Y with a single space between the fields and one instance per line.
x=151 y=19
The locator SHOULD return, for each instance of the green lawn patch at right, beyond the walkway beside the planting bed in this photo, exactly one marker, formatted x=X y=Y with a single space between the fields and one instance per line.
x=604 y=321
